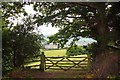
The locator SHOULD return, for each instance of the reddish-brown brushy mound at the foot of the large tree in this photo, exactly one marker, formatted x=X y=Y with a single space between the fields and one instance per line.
x=106 y=64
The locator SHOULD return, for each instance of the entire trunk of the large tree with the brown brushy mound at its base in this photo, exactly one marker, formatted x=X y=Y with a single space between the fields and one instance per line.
x=106 y=63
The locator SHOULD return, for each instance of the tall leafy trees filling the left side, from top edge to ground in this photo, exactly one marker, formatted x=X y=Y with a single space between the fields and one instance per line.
x=19 y=42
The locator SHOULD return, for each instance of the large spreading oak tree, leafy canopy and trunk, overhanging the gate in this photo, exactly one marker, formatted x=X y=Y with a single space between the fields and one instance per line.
x=99 y=21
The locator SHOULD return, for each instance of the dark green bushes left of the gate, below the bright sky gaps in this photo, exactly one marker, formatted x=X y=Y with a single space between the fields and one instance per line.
x=24 y=46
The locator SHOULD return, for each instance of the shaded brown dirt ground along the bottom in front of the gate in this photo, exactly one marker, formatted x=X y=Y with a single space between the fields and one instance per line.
x=46 y=74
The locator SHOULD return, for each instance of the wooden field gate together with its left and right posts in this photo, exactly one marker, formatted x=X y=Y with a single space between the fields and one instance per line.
x=64 y=63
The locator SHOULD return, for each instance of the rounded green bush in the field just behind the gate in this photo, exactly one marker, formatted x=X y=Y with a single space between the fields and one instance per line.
x=76 y=50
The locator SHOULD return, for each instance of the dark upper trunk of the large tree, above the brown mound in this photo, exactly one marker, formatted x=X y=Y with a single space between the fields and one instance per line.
x=102 y=30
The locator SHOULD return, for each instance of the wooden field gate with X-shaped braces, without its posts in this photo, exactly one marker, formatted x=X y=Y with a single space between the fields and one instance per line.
x=66 y=63
